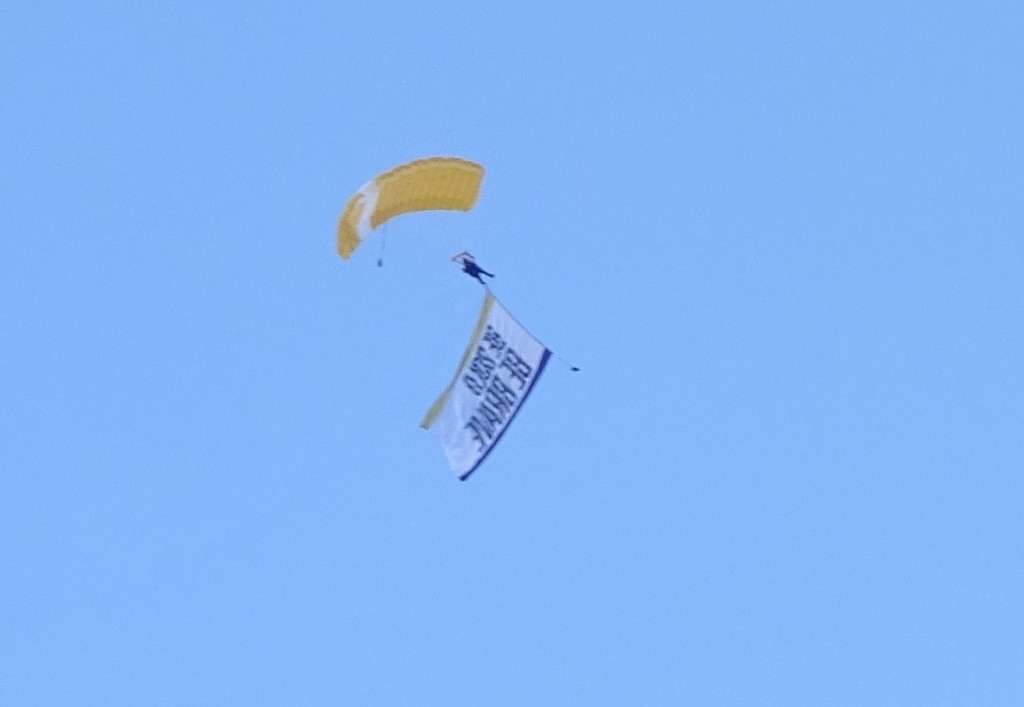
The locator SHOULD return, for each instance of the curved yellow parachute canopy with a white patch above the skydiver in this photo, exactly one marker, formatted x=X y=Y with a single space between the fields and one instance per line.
x=436 y=183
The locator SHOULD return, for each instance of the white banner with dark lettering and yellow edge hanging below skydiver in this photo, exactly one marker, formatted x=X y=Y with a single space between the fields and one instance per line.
x=500 y=367
